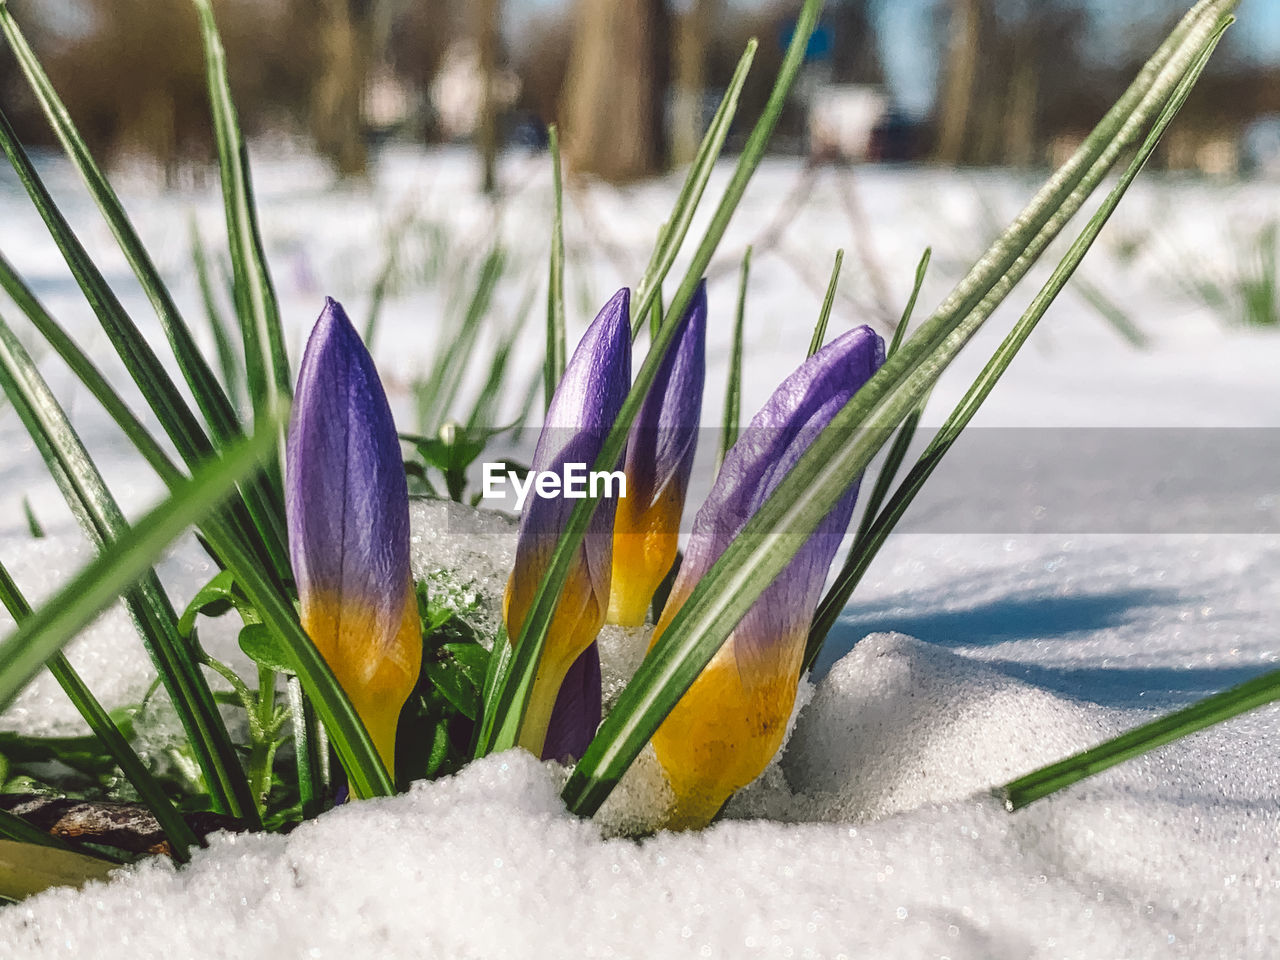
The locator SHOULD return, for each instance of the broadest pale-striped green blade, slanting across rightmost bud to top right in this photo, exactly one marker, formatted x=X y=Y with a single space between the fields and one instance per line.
x=847 y=446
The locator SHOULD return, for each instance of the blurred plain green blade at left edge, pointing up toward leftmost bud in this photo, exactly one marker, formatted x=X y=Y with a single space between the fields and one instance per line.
x=49 y=629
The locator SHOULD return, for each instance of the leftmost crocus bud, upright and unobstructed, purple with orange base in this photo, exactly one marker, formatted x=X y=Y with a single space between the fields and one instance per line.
x=348 y=506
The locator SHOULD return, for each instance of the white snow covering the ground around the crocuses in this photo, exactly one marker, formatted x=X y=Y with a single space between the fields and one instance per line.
x=966 y=659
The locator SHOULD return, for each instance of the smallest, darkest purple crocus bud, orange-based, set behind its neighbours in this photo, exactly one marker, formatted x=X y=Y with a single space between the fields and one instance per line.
x=660 y=459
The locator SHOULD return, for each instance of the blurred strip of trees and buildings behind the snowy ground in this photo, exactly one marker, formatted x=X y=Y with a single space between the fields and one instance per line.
x=633 y=83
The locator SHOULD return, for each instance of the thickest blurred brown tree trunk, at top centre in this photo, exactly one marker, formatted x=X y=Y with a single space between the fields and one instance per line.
x=616 y=89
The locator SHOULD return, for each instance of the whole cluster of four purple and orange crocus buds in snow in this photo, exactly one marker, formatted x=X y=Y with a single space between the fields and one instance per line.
x=349 y=533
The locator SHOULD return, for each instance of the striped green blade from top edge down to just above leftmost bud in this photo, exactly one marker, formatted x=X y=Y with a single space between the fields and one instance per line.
x=266 y=359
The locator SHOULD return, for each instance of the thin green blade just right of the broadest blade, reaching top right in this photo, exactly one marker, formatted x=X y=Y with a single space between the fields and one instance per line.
x=872 y=537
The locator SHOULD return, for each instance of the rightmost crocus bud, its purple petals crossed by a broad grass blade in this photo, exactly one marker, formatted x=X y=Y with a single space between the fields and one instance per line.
x=730 y=724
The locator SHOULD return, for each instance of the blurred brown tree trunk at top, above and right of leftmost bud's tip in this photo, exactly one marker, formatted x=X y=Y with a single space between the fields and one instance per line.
x=337 y=100
